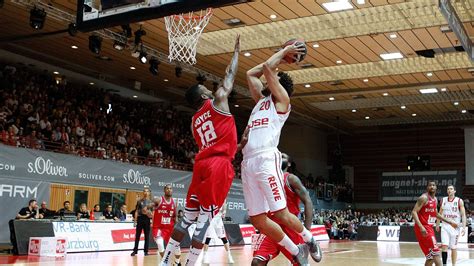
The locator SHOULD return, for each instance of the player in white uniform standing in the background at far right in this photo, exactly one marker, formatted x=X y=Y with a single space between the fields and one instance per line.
x=452 y=207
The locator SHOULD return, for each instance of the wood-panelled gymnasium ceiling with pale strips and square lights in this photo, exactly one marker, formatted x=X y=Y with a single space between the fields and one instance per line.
x=343 y=61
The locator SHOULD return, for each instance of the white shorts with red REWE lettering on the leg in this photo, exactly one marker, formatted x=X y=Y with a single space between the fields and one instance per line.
x=262 y=180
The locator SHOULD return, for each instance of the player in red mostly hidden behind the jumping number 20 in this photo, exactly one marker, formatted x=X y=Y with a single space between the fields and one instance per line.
x=265 y=248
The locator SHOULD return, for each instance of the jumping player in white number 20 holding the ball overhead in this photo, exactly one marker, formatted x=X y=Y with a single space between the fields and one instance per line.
x=262 y=177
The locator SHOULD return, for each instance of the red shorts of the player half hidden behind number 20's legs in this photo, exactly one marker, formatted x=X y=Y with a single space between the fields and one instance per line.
x=267 y=249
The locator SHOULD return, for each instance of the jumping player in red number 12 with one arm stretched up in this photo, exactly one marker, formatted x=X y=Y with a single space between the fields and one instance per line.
x=214 y=131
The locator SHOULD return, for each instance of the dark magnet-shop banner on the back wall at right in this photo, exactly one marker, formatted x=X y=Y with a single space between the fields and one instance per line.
x=408 y=186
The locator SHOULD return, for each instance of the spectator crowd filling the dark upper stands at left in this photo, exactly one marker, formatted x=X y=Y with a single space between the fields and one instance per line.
x=39 y=112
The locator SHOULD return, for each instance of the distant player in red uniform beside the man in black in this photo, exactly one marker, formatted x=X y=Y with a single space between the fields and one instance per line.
x=164 y=218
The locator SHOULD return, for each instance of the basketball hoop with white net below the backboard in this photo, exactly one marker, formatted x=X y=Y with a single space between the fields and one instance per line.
x=184 y=31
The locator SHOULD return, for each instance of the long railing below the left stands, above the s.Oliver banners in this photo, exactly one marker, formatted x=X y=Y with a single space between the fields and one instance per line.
x=85 y=151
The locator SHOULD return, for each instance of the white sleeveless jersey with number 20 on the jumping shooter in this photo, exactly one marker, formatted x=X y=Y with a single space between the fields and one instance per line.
x=265 y=125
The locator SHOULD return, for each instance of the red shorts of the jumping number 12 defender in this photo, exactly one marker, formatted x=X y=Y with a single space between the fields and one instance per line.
x=212 y=178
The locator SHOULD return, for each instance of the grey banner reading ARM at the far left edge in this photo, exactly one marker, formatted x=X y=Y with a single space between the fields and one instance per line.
x=15 y=193
